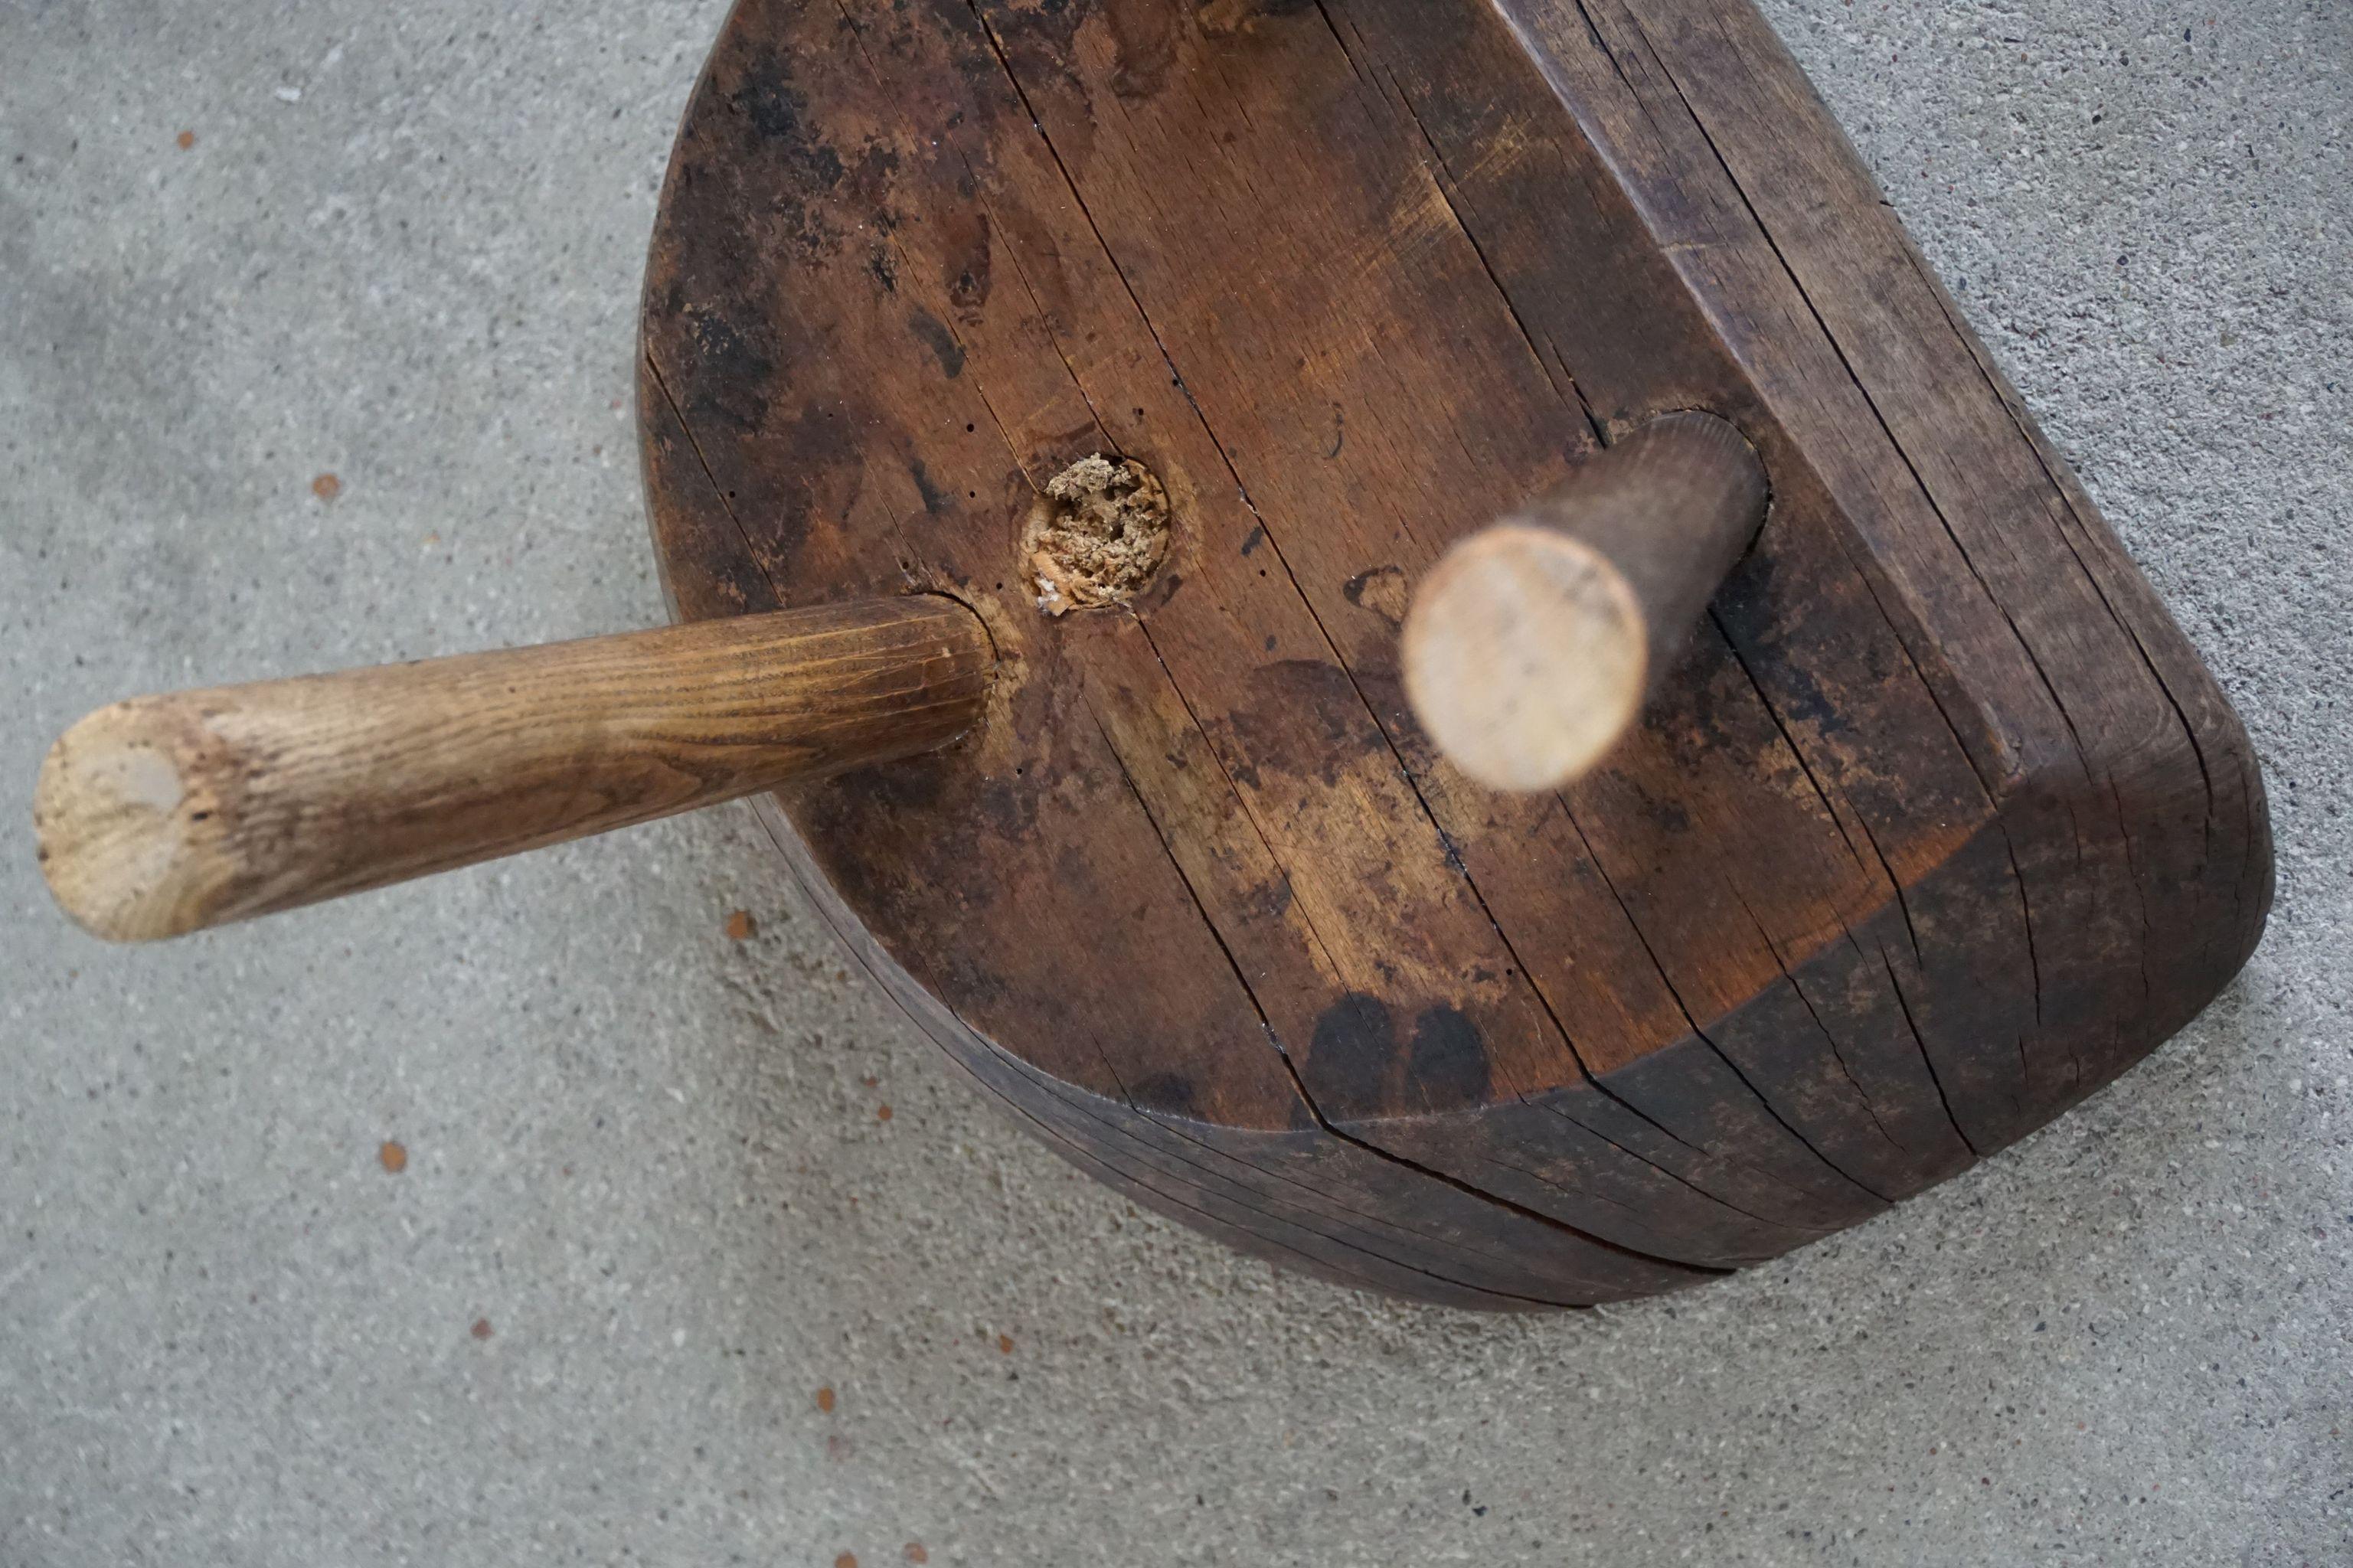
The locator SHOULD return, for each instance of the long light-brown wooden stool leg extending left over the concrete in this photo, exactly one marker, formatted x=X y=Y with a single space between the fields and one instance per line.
x=161 y=816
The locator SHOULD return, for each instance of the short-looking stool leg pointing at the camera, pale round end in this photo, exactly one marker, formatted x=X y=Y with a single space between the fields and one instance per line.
x=1533 y=644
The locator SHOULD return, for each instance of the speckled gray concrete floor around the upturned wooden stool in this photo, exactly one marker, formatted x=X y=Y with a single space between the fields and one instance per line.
x=404 y=248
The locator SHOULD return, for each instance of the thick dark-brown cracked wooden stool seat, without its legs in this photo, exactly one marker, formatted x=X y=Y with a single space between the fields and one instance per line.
x=1933 y=830
